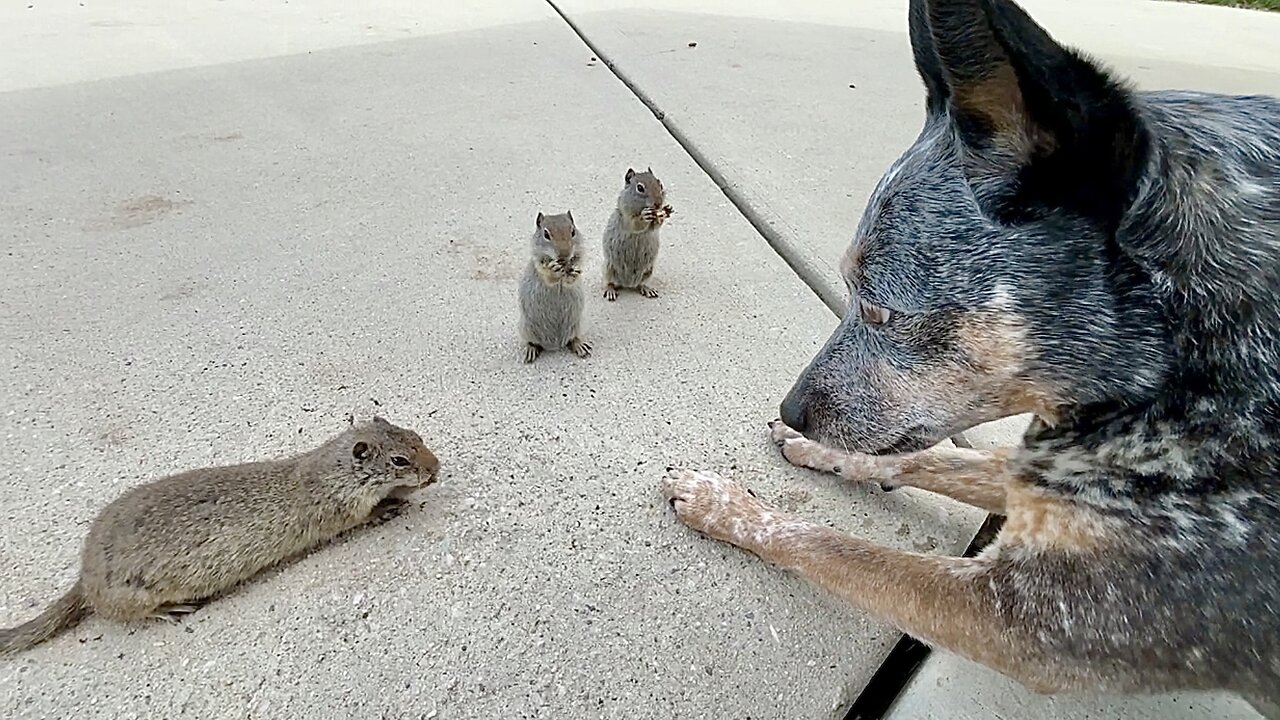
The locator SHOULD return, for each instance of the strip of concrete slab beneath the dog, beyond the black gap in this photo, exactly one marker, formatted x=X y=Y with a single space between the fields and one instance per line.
x=952 y=689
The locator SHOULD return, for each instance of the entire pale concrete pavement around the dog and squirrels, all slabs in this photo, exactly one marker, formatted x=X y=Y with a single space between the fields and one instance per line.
x=231 y=224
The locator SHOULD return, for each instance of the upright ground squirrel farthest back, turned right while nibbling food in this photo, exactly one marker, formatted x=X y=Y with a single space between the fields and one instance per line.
x=632 y=235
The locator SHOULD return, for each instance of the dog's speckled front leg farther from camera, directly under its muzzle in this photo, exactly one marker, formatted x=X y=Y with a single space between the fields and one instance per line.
x=975 y=477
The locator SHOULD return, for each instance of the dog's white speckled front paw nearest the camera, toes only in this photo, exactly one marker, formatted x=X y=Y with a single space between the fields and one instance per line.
x=714 y=505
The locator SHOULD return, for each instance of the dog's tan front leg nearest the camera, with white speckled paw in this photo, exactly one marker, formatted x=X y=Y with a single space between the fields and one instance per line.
x=944 y=601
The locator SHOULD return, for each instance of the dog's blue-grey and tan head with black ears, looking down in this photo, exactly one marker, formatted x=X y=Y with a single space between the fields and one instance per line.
x=985 y=279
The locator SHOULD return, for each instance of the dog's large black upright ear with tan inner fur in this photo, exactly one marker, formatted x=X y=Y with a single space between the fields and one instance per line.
x=1041 y=127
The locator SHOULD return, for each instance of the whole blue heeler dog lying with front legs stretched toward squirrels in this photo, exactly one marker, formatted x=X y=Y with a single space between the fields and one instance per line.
x=1110 y=262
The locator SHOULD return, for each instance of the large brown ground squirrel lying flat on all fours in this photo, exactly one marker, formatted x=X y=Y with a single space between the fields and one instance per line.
x=163 y=548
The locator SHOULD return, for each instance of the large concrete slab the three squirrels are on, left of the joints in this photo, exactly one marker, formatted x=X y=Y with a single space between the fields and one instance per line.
x=220 y=263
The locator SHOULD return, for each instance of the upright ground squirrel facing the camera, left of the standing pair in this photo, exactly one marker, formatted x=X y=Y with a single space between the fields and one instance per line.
x=551 y=298
